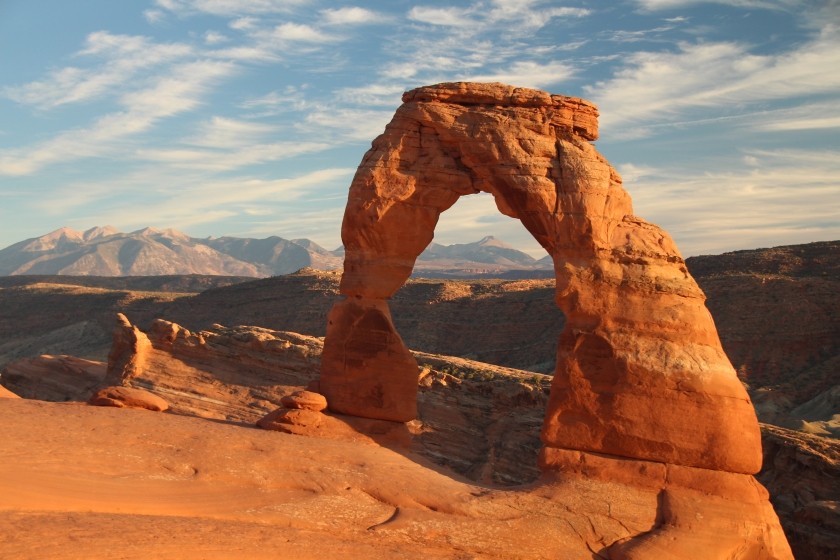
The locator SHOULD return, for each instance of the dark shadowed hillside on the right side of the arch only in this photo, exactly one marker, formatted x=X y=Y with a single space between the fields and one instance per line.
x=778 y=314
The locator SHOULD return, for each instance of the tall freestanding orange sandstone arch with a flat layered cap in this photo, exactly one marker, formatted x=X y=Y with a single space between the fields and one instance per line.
x=640 y=370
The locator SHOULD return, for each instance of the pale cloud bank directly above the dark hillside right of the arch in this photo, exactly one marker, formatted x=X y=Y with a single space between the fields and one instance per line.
x=772 y=198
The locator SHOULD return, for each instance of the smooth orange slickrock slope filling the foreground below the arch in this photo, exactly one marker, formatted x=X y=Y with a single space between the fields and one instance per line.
x=86 y=482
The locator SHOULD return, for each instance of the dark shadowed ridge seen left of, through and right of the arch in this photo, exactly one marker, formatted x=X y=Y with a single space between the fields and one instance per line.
x=795 y=352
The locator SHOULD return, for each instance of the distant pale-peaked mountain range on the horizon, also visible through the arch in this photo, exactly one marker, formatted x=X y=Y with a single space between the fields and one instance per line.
x=104 y=251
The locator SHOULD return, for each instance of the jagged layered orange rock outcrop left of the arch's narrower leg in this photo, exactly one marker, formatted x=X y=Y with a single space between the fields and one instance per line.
x=236 y=374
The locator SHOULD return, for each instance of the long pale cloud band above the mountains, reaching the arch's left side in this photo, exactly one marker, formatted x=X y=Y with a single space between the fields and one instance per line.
x=190 y=199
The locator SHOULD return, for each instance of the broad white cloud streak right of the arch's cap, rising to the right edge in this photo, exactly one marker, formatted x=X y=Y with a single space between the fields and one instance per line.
x=657 y=86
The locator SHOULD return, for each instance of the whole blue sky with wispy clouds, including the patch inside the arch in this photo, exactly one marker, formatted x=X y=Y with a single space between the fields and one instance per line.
x=249 y=117
